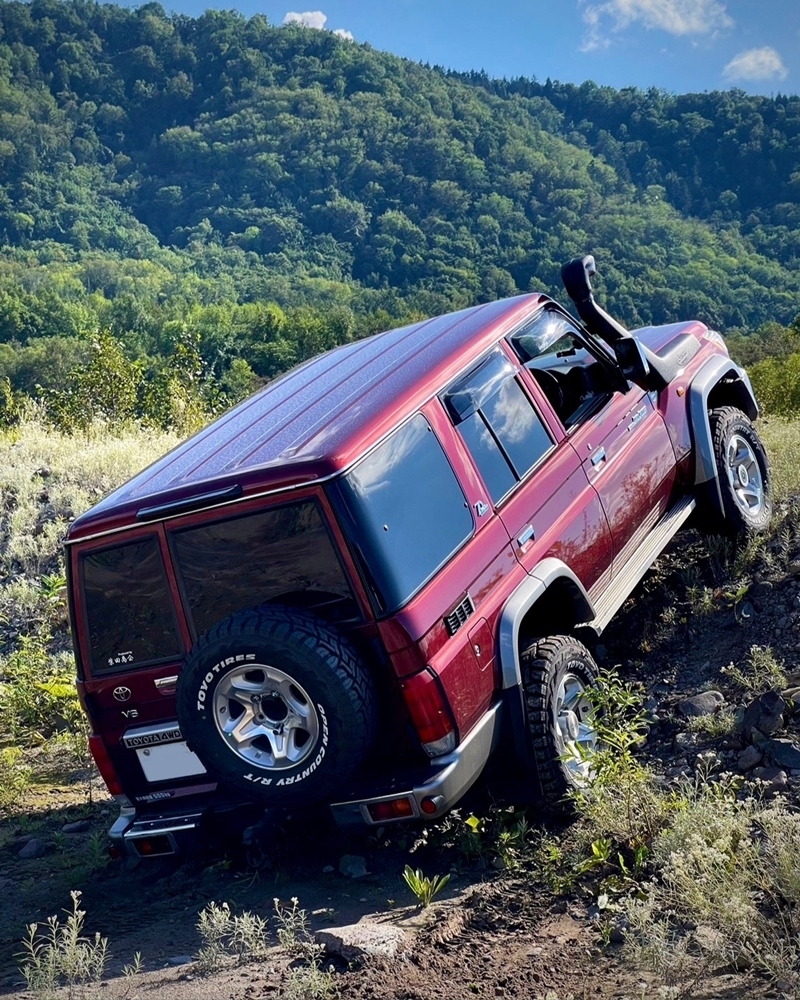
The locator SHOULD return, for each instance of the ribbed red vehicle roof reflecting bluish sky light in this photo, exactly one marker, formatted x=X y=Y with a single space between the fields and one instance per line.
x=317 y=419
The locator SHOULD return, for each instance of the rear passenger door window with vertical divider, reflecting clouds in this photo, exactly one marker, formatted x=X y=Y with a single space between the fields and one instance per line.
x=499 y=425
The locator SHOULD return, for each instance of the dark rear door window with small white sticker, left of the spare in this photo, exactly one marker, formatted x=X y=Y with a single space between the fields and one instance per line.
x=128 y=606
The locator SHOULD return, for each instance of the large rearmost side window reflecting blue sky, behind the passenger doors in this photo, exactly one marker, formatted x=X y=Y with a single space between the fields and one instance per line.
x=405 y=512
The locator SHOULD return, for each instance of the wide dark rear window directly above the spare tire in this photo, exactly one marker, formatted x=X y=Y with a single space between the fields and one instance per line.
x=283 y=552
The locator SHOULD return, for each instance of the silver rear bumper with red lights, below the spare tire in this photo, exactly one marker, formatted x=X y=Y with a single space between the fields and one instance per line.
x=429 y=792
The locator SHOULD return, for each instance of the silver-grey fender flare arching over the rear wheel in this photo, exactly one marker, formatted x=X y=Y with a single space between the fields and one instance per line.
x=519 y=604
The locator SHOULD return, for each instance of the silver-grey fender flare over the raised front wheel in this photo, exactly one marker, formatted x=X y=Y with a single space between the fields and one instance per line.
x=706 y=379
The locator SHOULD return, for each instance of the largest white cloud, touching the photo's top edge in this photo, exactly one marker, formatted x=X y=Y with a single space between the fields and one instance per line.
x=676 y=17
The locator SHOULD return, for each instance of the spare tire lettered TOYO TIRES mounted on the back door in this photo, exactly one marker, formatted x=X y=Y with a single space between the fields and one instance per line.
x=278 y=705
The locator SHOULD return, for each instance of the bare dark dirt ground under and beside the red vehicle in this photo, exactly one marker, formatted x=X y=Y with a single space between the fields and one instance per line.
x=493 y=934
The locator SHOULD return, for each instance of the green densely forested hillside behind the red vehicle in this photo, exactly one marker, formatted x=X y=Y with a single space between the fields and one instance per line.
x=285 y=161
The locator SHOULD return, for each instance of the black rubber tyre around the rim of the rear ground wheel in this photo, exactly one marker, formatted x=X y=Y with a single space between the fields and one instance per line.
x=546 y=664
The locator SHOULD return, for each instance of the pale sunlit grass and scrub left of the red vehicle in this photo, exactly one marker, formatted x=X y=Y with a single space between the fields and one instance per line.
x=47 y=479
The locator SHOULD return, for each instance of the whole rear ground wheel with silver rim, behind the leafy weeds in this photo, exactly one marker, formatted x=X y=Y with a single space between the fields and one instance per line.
x=557 y=673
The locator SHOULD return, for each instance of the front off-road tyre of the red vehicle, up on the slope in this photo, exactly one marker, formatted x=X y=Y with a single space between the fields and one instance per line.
x=729 y=425
